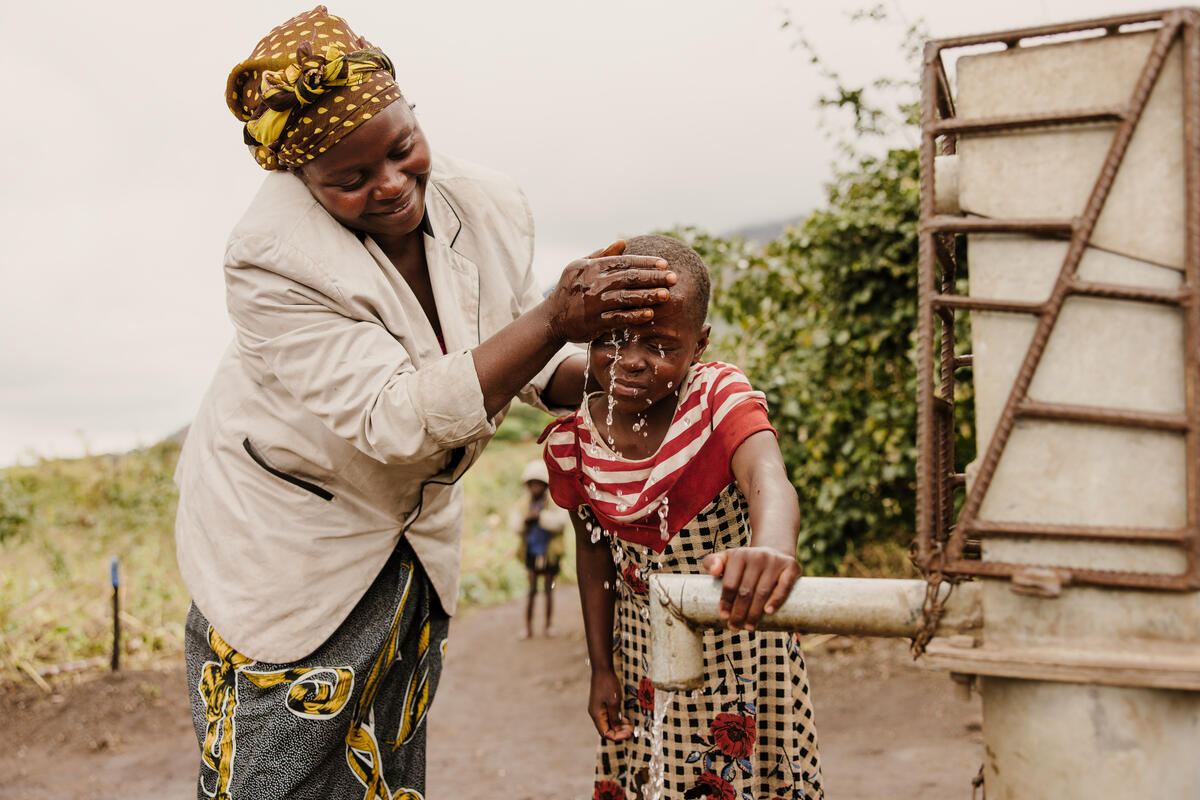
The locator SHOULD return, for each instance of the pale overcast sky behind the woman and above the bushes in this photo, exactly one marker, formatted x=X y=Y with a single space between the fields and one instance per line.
x=124 y=172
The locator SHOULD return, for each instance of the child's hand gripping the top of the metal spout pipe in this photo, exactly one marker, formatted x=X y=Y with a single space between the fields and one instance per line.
x=754 y=581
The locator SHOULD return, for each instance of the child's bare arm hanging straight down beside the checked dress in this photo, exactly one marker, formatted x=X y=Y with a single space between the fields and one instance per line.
x=598 y=576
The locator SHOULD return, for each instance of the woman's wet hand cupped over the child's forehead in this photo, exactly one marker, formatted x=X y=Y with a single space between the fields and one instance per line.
x=607 y=291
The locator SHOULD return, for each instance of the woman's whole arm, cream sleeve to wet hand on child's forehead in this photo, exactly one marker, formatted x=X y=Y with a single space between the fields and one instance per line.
x=359 y=380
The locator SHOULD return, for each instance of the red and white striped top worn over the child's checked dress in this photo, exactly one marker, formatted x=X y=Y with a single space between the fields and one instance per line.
x=649 y=501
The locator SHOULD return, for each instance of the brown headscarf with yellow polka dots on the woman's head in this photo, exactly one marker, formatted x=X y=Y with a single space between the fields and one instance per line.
x=308 y=85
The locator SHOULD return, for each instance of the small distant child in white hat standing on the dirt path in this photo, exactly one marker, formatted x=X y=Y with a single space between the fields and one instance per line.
x=539 y=527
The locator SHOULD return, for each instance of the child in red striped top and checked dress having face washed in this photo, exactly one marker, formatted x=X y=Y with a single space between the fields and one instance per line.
x=674 y=467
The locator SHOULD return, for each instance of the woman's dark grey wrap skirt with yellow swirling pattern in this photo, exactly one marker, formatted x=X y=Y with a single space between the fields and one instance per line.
x=345 y=723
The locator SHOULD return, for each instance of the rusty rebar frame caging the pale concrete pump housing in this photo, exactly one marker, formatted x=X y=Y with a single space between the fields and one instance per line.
x=943 y=542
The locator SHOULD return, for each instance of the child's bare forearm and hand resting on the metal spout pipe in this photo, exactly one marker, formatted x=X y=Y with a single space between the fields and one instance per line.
x=759 y=579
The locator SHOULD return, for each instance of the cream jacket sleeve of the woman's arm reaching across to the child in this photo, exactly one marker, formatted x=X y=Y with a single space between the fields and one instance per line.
x=353 y=375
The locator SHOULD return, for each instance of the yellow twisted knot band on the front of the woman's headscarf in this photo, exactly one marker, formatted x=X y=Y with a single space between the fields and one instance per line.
x=303 y=83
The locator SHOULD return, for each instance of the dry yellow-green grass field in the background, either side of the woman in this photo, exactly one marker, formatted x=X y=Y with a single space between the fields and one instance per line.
x=62 y=522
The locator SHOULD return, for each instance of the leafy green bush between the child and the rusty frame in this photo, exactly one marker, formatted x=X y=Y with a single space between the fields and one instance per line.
x=824 y=321
